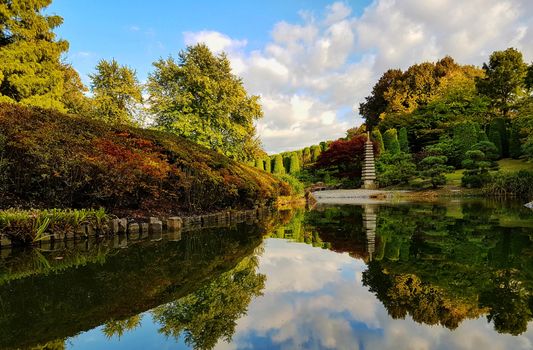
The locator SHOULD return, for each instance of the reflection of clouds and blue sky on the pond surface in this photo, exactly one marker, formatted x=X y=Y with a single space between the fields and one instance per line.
x=314 y=299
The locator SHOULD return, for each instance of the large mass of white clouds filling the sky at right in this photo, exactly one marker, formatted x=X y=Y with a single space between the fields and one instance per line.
x=330 y=61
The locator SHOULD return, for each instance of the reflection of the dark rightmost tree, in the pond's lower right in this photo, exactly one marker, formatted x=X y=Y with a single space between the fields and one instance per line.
x=509 y=303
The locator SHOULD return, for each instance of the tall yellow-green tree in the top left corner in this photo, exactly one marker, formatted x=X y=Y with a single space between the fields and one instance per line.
x=31 y=72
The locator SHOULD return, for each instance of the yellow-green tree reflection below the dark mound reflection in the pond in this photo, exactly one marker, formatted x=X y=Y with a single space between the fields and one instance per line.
x=211 y=312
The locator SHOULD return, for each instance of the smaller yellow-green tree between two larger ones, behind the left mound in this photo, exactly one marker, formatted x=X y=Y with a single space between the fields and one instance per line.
x=117 y=92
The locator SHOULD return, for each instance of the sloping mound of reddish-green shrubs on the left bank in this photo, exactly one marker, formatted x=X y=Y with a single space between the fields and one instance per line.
x=52 y=159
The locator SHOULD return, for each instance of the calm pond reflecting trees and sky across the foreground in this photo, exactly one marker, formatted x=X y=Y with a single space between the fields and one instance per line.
x=454 y=275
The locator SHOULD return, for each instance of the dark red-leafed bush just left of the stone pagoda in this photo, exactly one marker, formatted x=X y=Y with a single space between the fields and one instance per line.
x=344 y=157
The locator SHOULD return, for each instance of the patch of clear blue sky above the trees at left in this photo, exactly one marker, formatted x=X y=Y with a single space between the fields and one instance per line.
x=137 y=33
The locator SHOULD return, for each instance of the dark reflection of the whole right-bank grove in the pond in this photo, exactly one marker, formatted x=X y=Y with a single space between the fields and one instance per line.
x=441 y=265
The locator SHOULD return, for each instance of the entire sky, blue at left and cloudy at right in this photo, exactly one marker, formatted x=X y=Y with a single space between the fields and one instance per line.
x=312 y=62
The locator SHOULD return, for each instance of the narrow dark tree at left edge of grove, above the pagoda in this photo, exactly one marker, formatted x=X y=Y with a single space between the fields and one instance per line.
x=376 y=104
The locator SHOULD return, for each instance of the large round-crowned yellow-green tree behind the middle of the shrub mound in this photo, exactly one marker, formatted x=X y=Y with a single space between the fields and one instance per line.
x=199 y=98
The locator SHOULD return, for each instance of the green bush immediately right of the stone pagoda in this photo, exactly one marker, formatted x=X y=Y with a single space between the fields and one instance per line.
x=394 y=168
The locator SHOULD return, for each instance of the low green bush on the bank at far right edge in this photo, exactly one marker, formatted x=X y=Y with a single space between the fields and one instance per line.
x=518 y=184
